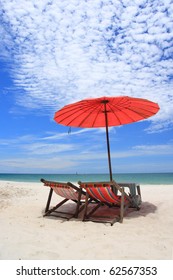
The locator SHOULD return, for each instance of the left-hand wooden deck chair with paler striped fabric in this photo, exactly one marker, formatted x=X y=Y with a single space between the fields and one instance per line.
x=69 y=192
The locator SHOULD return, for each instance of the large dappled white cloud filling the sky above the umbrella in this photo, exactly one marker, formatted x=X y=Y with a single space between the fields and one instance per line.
x=69 y=50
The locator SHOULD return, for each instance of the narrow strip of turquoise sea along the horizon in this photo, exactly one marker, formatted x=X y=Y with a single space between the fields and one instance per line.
x=140 y=178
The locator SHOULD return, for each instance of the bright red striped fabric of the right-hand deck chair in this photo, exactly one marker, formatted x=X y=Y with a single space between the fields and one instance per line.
x=101 y=191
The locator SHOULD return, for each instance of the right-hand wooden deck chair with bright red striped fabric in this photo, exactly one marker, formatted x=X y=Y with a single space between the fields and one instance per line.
x=109 y=194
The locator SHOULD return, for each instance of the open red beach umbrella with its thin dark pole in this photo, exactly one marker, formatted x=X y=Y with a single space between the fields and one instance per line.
x=105 y=112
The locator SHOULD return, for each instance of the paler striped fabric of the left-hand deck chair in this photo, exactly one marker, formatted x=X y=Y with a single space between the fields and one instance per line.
x=63 y=189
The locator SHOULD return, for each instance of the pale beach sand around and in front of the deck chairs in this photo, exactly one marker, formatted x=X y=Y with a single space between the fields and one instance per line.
x=25 y=234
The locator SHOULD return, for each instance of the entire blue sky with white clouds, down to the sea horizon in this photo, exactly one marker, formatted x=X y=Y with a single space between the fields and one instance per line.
x=58 y=52
